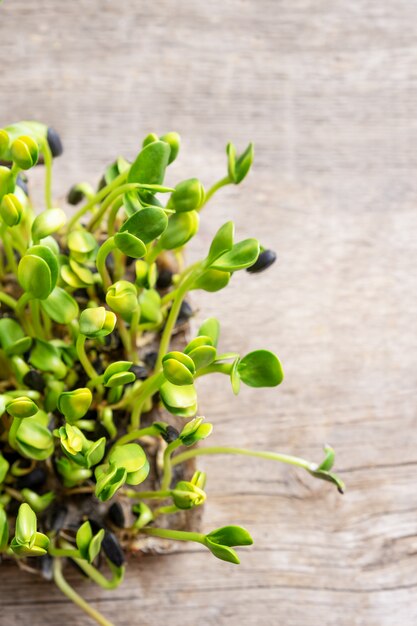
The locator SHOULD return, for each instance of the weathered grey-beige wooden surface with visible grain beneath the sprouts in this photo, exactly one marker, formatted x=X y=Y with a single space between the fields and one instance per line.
x=328 y=91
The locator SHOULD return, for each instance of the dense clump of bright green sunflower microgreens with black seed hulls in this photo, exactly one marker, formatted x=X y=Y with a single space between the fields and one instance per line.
x=89 y=306
